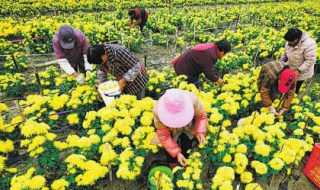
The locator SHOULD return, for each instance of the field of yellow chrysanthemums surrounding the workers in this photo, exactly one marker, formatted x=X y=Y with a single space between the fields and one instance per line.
x=54 y=135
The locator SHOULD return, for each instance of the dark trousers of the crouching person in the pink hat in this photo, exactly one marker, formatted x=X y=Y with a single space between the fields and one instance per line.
x=185 y=144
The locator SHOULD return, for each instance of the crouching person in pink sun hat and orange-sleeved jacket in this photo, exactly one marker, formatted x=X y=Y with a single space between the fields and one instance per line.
x=179 y=117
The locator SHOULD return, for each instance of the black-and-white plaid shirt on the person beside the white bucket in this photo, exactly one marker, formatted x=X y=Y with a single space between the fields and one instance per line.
x=122 y=64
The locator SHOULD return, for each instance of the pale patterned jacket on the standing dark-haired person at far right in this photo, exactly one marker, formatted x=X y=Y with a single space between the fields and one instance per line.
x=302 y=57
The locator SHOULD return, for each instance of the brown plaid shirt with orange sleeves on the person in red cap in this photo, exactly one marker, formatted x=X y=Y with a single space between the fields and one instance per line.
x=268 y=84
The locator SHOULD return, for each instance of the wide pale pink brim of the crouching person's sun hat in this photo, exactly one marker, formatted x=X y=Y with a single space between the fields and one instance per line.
x=176 y=120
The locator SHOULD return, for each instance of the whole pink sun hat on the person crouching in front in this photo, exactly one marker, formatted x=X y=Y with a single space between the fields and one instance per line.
x=175 y=108
